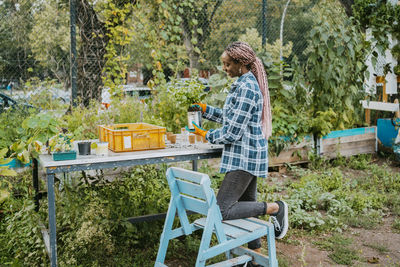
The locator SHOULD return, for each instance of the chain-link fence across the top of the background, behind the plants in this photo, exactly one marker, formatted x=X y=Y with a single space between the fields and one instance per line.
x=35 y=38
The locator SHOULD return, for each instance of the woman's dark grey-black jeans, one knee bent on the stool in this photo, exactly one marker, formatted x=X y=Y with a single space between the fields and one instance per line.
x=237 y=198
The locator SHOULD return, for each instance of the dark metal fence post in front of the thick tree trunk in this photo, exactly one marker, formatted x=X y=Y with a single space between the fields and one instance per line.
x=72 y=7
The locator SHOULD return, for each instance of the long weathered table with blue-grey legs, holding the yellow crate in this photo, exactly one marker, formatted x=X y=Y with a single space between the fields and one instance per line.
x=113 y=160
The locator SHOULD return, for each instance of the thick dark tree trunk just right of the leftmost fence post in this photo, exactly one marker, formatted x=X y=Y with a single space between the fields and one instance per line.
x=91 y=53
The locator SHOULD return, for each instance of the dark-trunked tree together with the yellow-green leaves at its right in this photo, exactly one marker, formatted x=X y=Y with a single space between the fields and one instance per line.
x=97 y=22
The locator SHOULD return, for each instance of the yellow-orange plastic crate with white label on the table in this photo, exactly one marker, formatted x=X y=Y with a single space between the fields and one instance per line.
x=132 y=136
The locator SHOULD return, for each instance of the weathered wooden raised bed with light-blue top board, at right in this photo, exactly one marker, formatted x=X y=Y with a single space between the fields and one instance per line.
x=348 y=142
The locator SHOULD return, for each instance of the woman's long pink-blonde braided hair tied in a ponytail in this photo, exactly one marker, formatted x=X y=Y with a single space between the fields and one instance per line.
x=241 y=52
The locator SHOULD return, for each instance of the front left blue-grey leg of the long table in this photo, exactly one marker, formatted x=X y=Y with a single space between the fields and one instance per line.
x=52 y=219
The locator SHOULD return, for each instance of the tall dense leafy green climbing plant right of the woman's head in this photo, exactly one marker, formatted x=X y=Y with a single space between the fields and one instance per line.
x=335 y=72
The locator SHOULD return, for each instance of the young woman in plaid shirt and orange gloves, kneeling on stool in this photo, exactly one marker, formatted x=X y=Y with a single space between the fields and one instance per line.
x=246 y=125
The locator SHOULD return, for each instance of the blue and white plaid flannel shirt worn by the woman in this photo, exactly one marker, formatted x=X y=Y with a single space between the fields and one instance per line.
x=245 y=147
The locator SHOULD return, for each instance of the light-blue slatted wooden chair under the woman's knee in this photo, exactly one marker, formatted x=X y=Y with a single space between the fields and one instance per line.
x=191 y=191
